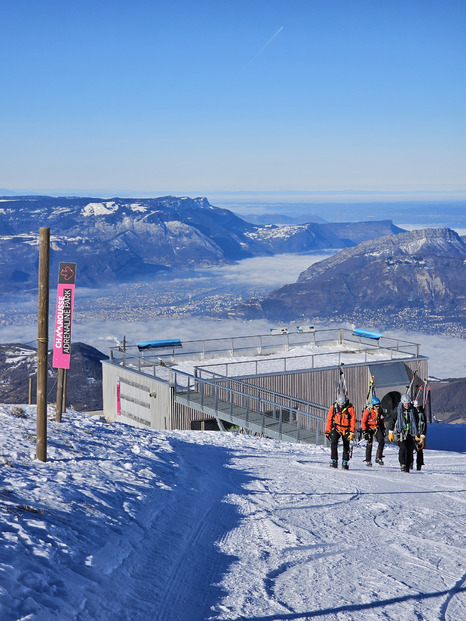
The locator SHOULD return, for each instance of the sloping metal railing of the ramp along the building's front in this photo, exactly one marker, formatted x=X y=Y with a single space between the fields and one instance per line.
x=243 y=400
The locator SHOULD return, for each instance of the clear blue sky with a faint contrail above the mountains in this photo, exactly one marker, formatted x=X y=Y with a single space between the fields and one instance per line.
x=206 y=96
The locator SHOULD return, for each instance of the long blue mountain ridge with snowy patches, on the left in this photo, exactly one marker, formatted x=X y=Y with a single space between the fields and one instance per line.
x=125 y=239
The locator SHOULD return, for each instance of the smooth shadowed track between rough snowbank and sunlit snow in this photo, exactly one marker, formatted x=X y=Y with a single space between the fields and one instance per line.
x=195 y=520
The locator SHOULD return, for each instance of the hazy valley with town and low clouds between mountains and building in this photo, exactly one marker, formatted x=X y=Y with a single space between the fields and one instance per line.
x=203 y=303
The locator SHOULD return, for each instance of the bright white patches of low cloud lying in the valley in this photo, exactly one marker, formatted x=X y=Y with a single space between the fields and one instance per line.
x=447 y=355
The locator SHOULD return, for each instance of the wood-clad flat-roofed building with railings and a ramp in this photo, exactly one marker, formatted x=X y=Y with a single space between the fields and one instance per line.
x=279 y=385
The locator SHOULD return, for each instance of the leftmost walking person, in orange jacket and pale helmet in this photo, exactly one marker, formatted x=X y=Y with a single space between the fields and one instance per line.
x=341 y=423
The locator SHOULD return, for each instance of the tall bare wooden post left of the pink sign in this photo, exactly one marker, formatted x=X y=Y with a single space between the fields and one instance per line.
x=42 y=343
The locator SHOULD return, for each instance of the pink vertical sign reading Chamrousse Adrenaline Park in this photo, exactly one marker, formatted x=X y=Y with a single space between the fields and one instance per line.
x=64 y=316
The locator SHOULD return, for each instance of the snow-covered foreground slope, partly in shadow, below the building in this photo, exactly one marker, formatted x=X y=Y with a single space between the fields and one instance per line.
x=129 y=524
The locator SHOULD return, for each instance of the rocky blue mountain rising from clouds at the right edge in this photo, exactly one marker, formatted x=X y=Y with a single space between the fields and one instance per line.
x=410 y=280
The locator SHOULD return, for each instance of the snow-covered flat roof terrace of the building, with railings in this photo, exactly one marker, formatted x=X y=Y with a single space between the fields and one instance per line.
x=248 y=356
